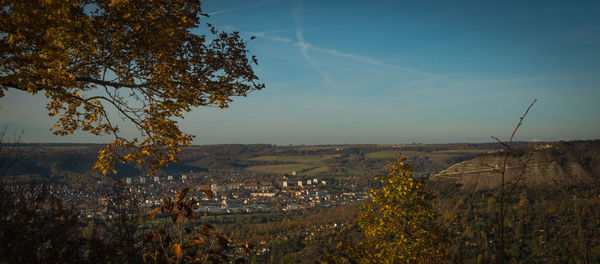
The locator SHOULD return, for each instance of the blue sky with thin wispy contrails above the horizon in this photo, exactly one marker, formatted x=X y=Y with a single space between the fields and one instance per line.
x=393 y=72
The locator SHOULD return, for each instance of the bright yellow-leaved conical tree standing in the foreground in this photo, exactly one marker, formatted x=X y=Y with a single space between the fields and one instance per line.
x=398 y=221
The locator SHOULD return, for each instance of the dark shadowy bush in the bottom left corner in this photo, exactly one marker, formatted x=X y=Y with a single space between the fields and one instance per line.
x=37 y=227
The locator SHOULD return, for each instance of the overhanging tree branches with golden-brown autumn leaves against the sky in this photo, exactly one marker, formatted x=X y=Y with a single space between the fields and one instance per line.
x=140 y=59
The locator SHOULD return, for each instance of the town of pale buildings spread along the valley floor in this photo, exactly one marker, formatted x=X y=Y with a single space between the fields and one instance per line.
x=232 y=192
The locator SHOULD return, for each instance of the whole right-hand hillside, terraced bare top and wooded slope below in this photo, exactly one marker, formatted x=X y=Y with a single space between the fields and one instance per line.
x=552 y=205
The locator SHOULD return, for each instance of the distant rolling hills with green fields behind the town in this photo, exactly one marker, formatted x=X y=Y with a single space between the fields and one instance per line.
x=71 y=163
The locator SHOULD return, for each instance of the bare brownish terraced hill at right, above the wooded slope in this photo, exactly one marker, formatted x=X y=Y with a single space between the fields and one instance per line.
x=551 y=165
